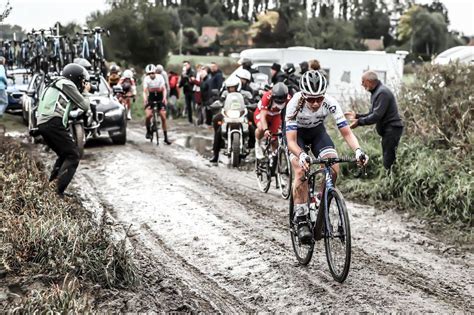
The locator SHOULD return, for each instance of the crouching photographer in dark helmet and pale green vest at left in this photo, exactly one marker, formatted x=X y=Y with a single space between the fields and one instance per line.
x=55 y=103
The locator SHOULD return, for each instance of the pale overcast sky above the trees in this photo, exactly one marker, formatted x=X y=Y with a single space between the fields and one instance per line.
x=44 y=13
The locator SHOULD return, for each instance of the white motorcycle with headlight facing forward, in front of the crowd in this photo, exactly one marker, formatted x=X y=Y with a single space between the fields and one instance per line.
x=235 y=126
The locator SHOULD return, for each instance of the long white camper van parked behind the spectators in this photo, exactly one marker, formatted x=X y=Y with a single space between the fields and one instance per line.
x=344 y=67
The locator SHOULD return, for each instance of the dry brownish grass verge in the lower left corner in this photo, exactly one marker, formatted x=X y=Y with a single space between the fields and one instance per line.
x=53 y=241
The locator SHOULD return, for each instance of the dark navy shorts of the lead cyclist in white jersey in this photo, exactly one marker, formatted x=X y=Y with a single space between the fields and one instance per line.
x=317 y=138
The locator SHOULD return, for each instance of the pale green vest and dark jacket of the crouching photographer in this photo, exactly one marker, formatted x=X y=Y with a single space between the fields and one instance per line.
x=57 y=100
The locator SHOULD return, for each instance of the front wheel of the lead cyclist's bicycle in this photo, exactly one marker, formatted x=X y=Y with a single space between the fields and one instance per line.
x=338 y=243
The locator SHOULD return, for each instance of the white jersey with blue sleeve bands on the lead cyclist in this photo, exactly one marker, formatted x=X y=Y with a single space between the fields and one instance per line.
x=306 y=118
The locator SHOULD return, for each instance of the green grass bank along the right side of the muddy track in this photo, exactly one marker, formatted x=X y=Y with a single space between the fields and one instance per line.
x=428 y=182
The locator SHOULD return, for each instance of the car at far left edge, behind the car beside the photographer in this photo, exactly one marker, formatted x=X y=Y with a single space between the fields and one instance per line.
x=18 y=80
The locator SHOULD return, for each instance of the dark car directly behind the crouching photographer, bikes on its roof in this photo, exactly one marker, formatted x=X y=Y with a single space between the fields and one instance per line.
x=112 y=114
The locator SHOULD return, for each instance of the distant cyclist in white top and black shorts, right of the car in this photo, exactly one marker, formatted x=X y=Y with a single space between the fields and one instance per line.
x=154 y=91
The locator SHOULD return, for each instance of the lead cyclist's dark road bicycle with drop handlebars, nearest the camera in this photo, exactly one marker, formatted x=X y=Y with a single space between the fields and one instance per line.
x=328 y=220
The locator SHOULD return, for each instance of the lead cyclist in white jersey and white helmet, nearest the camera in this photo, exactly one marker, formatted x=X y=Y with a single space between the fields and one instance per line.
x=305 y=115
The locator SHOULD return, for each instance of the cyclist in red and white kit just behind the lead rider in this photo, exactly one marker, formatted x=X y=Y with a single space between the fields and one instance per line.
x=268 y=115
